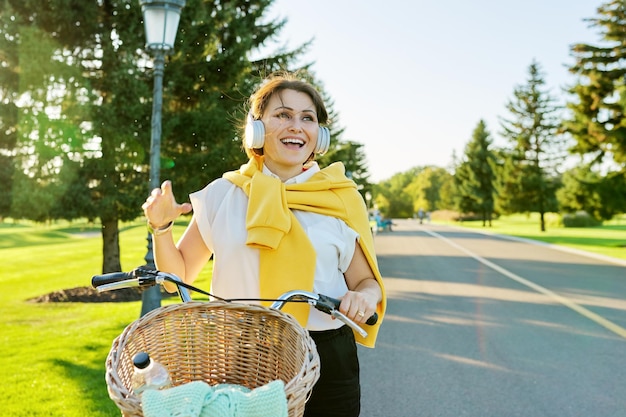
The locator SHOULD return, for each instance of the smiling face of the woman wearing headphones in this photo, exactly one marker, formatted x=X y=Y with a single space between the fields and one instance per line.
x=291 y=129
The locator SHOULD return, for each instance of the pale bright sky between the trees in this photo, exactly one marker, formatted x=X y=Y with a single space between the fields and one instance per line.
x=411 y=79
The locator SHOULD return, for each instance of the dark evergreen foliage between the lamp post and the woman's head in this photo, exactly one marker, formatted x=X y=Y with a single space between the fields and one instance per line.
x=208 y=80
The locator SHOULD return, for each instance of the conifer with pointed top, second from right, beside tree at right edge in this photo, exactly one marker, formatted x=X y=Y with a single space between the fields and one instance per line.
x=528 y=176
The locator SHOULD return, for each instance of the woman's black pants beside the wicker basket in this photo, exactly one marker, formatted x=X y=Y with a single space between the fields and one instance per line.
x=337 y=393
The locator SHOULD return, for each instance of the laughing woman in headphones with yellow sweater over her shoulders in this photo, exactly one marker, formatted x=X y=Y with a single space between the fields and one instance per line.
x=280 y=223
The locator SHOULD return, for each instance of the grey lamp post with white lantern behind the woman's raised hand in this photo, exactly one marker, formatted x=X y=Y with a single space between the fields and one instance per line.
x=161 y=19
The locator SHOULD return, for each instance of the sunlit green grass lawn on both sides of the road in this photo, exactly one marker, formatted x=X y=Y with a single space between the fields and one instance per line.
x=52 y=355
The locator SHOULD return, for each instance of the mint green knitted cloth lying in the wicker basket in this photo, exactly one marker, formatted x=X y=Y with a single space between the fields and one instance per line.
x=199 y=399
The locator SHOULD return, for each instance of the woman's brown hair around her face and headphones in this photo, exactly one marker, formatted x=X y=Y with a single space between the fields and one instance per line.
x=274 y=84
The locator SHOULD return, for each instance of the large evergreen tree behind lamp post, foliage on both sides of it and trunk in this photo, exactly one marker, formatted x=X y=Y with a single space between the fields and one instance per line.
x=93 y=52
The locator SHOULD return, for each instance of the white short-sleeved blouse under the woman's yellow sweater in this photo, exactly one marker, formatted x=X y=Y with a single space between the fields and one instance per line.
x=220 y=211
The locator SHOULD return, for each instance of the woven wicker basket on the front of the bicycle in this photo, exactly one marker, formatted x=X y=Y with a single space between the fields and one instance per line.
x=217 y=343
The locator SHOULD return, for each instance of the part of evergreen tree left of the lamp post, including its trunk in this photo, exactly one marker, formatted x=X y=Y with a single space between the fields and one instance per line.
x=79 y=88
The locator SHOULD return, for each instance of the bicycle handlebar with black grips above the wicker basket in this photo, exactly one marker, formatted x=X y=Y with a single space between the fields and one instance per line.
x=147 y=277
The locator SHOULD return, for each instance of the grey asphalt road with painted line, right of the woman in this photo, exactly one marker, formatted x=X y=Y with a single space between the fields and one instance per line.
x=485 y=326
